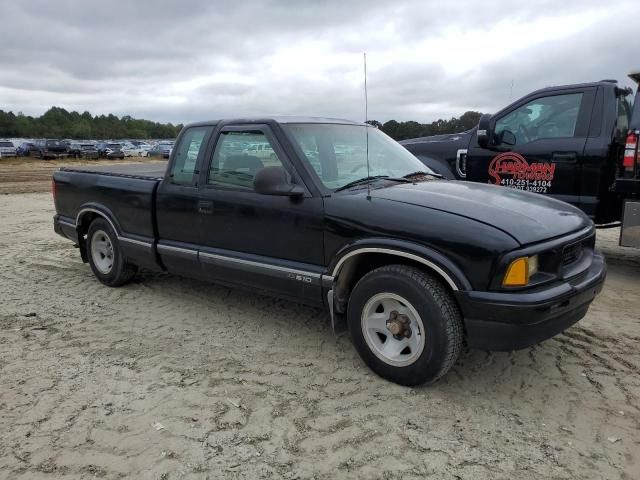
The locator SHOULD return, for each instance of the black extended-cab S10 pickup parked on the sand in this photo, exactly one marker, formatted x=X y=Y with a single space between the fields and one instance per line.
x=339 y=215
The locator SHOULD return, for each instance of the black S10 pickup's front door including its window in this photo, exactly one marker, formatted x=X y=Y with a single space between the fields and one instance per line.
x=269 y=242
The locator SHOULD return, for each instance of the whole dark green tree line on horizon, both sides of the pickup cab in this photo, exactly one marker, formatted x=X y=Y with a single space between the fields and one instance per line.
x=60 y=123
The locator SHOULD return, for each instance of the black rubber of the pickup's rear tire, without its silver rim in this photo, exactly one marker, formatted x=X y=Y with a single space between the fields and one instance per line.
x=120 y=271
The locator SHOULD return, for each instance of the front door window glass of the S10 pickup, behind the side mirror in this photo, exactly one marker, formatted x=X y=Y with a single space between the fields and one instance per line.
x=238 y=156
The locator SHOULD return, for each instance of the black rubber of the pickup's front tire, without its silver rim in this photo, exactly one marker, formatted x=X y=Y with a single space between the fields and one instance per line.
x=437 y=310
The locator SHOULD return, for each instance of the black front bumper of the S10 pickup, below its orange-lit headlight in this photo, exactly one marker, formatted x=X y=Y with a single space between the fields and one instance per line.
x=500 y=321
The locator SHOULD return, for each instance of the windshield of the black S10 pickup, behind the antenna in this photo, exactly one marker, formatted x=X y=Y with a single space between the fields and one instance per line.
x=338 y=153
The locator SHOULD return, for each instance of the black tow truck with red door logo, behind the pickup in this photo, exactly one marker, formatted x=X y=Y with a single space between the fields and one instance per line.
x=576 y=143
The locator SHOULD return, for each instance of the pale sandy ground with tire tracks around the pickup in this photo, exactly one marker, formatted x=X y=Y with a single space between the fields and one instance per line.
x=169 y=378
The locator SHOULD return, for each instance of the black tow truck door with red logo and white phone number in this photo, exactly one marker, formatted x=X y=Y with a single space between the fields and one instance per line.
x=537 y=144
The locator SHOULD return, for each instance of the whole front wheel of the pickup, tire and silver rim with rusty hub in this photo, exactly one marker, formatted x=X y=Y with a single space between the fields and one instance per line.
x=405 y=324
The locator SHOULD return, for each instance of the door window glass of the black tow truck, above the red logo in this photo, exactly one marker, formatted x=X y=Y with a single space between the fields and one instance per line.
x=547 y=117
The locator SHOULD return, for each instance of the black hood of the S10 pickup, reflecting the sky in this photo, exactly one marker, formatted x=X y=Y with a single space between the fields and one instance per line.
x=527 y=217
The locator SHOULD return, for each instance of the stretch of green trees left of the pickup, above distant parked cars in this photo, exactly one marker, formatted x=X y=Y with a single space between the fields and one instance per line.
x=60 y=123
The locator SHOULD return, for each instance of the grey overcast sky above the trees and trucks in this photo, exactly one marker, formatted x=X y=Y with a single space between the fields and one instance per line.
x=192 y=60
